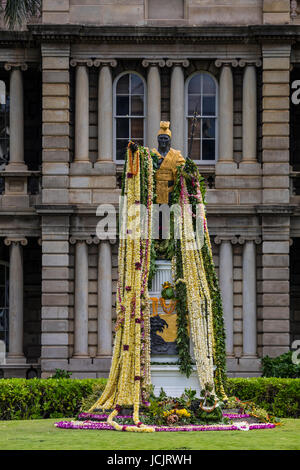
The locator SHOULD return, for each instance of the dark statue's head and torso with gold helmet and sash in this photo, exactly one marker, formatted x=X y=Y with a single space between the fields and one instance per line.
x=168 y=161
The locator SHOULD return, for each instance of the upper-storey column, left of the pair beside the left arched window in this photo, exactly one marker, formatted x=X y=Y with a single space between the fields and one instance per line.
x=82 y=112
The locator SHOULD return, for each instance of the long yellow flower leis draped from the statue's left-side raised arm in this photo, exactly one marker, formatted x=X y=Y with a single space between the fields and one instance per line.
x=129 y=375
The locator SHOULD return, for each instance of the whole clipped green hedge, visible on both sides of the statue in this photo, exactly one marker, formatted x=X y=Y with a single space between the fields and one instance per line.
x=57 y=398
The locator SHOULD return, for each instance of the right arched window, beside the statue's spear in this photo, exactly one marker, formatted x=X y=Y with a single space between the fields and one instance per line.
x=201 y=97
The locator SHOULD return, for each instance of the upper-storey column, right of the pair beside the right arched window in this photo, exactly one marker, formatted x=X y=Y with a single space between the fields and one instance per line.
x=249 y=111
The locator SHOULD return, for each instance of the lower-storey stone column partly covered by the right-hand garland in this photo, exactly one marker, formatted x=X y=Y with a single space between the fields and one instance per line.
x=226 y=286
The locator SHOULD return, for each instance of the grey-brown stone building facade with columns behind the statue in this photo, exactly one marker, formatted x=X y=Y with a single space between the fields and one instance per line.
x=75 y=85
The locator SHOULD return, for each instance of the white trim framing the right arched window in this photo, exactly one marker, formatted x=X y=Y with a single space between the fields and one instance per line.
x=202 y=162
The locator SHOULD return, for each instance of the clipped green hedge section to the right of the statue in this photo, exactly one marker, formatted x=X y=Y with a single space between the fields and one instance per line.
x=280 y=397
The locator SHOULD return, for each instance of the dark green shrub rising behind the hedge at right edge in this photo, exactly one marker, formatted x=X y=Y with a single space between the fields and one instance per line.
x=281 y=366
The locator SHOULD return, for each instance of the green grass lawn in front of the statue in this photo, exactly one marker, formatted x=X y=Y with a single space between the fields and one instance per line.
x=43 y=435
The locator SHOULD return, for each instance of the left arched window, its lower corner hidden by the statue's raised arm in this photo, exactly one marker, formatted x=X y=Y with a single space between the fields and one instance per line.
x=129 y=112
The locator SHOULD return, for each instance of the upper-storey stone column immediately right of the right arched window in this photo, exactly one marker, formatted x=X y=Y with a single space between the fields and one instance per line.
x=226 y=110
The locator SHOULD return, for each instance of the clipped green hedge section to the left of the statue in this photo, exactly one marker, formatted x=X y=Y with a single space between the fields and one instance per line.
x=40 y=398
